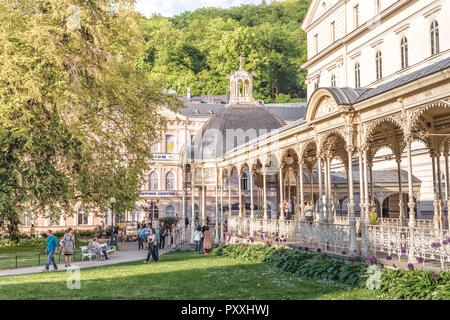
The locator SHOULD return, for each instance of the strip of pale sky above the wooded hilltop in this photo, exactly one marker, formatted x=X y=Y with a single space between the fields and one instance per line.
x=170 y=8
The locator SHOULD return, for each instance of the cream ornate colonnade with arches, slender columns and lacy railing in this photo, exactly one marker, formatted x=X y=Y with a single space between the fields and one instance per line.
x=338 y=128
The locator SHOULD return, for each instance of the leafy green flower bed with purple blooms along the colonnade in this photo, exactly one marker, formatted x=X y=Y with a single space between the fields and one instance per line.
x=391 y=283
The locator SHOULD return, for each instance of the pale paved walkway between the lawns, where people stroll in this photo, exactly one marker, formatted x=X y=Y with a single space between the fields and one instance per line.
x=126 y=254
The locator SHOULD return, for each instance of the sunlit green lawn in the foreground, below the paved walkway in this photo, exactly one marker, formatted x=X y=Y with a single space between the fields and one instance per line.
x=178 y=275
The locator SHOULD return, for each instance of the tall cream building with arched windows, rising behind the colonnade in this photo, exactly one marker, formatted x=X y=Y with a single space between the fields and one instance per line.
x=365 y=44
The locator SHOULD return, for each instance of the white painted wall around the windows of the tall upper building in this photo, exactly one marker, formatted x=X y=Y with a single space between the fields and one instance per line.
x=412 y=20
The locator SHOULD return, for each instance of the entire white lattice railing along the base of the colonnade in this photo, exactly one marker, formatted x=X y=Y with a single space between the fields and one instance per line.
x=388 y=237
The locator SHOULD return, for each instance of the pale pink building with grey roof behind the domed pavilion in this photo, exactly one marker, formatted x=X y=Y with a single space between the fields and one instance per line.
x=162 y=194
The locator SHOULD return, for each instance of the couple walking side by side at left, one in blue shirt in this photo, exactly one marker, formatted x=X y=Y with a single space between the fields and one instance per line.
x=67 y=246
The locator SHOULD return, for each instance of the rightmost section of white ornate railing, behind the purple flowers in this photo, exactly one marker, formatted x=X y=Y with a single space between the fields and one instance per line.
x=423 y=243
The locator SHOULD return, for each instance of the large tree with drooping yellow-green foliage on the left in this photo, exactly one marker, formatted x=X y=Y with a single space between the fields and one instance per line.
x=77 y=110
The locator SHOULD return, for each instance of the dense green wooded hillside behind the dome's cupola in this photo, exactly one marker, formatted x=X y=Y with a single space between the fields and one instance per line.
x=199 y=49
